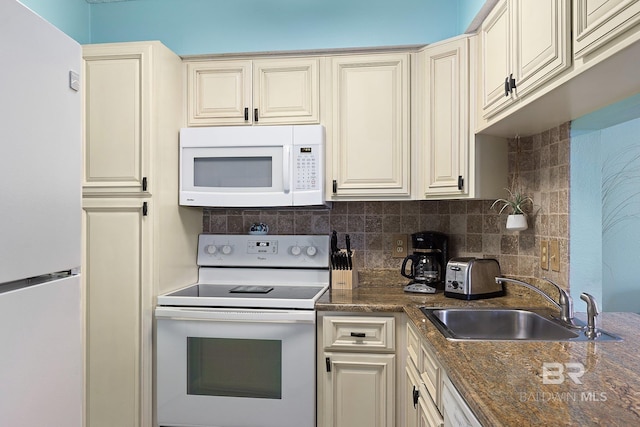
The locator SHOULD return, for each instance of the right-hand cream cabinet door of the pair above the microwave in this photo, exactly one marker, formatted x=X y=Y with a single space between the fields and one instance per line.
x=286 y=91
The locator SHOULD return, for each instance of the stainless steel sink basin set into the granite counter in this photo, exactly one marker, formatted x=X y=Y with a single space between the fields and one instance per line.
x=499 y=324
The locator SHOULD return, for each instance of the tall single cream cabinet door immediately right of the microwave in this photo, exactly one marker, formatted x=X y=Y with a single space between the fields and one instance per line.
x=370 y=136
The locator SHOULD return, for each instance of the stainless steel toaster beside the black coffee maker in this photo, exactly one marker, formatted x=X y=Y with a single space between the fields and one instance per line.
x=472 y=278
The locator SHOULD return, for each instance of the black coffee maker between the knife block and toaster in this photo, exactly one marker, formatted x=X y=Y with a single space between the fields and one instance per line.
x=427 y=263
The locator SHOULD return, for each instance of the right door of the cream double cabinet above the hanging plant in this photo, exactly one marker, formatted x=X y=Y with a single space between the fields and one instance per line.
x=540 y=41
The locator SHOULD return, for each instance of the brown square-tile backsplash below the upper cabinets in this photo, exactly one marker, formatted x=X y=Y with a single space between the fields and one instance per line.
x=538 y=164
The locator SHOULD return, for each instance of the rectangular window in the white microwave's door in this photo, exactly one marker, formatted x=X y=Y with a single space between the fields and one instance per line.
x=233 y=172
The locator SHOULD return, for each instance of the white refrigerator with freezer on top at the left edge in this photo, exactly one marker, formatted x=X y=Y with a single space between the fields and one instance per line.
x=40 y=222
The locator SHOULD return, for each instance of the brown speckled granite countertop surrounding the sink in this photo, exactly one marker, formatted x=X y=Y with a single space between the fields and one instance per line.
x=502 y=382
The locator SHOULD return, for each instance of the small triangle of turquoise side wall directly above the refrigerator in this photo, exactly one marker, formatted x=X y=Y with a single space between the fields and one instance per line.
x=71 y=16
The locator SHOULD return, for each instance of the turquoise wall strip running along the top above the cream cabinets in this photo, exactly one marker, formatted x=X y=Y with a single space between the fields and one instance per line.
x=191 y=27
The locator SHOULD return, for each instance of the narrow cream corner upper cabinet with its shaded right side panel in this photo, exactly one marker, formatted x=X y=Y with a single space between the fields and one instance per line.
x=450 y=160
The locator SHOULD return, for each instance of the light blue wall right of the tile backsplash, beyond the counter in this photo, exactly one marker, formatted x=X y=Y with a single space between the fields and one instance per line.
x=605 y=206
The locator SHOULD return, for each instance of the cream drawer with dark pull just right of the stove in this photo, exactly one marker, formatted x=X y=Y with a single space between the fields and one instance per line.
x=358 y=333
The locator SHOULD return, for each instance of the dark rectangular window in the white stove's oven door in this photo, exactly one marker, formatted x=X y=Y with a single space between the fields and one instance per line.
x=234 y=367
